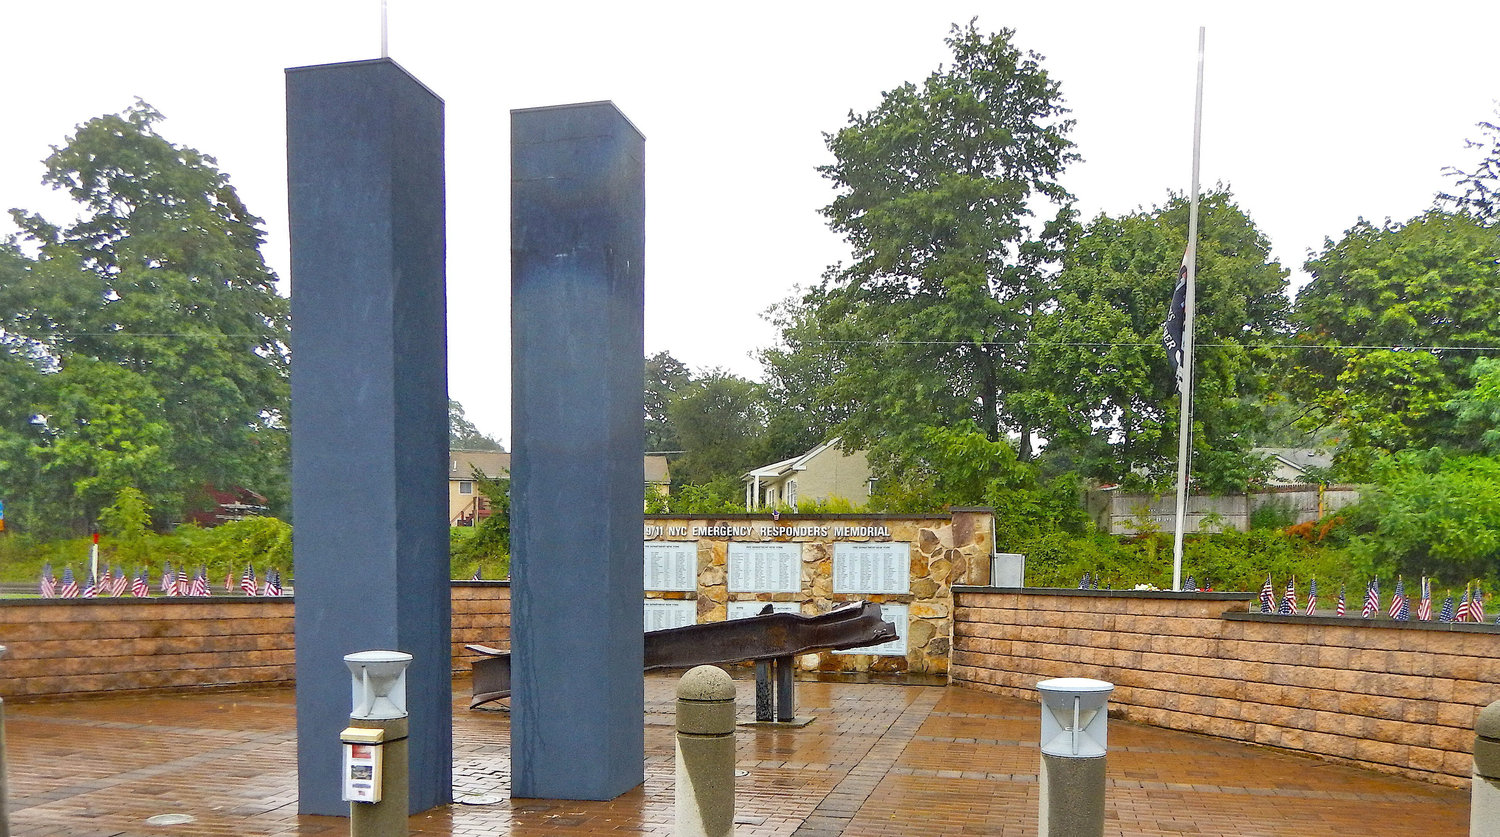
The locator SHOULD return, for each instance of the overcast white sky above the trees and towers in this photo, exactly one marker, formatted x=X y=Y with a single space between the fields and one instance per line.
x=1316 y=113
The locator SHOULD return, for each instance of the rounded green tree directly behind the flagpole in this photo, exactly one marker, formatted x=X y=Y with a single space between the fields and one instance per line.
x=1108 y=398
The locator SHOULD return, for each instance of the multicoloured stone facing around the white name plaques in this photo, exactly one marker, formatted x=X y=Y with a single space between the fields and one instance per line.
x=946 y=550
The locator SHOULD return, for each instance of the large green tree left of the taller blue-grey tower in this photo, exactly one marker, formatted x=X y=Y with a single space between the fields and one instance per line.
x=161 y=277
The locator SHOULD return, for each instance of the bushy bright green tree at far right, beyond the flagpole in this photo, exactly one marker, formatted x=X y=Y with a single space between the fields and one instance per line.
x=1393 y=322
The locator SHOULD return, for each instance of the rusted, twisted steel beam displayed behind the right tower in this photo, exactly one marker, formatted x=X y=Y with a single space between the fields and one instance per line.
x=757 y=638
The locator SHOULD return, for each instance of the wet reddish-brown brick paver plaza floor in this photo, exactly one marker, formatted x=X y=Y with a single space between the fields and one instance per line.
x=881 y=760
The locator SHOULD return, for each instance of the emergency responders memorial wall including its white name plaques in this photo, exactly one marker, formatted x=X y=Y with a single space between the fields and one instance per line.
x=728 y=568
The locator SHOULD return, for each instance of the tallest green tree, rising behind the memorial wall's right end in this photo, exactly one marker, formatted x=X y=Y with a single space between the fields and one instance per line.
x=940 y=190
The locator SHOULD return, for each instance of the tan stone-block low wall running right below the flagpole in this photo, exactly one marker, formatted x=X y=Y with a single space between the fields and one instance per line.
x=1394 y=697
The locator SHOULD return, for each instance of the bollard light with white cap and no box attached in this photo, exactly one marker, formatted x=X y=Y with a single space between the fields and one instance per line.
x=1073 y=746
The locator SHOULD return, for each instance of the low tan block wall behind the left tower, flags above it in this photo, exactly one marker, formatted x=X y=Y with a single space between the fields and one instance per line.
x=94 y=646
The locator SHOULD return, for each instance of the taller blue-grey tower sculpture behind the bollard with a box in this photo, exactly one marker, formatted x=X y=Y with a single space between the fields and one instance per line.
x=370 y=410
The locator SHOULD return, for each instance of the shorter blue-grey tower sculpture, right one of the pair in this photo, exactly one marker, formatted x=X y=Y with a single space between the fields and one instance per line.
x=578 y=241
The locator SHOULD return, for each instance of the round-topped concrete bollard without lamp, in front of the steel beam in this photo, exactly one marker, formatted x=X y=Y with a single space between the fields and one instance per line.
x=706 y=754
